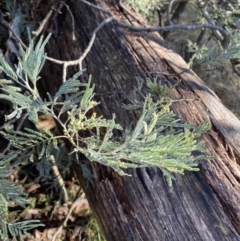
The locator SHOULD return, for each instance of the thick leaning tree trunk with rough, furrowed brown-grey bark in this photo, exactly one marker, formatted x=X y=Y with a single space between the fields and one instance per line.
x=200 y=206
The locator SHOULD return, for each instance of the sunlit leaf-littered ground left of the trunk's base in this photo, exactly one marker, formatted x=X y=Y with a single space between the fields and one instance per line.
x=46 y=204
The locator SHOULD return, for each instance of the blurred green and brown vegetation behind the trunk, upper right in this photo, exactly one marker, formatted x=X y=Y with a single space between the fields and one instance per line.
x=220 y=74
